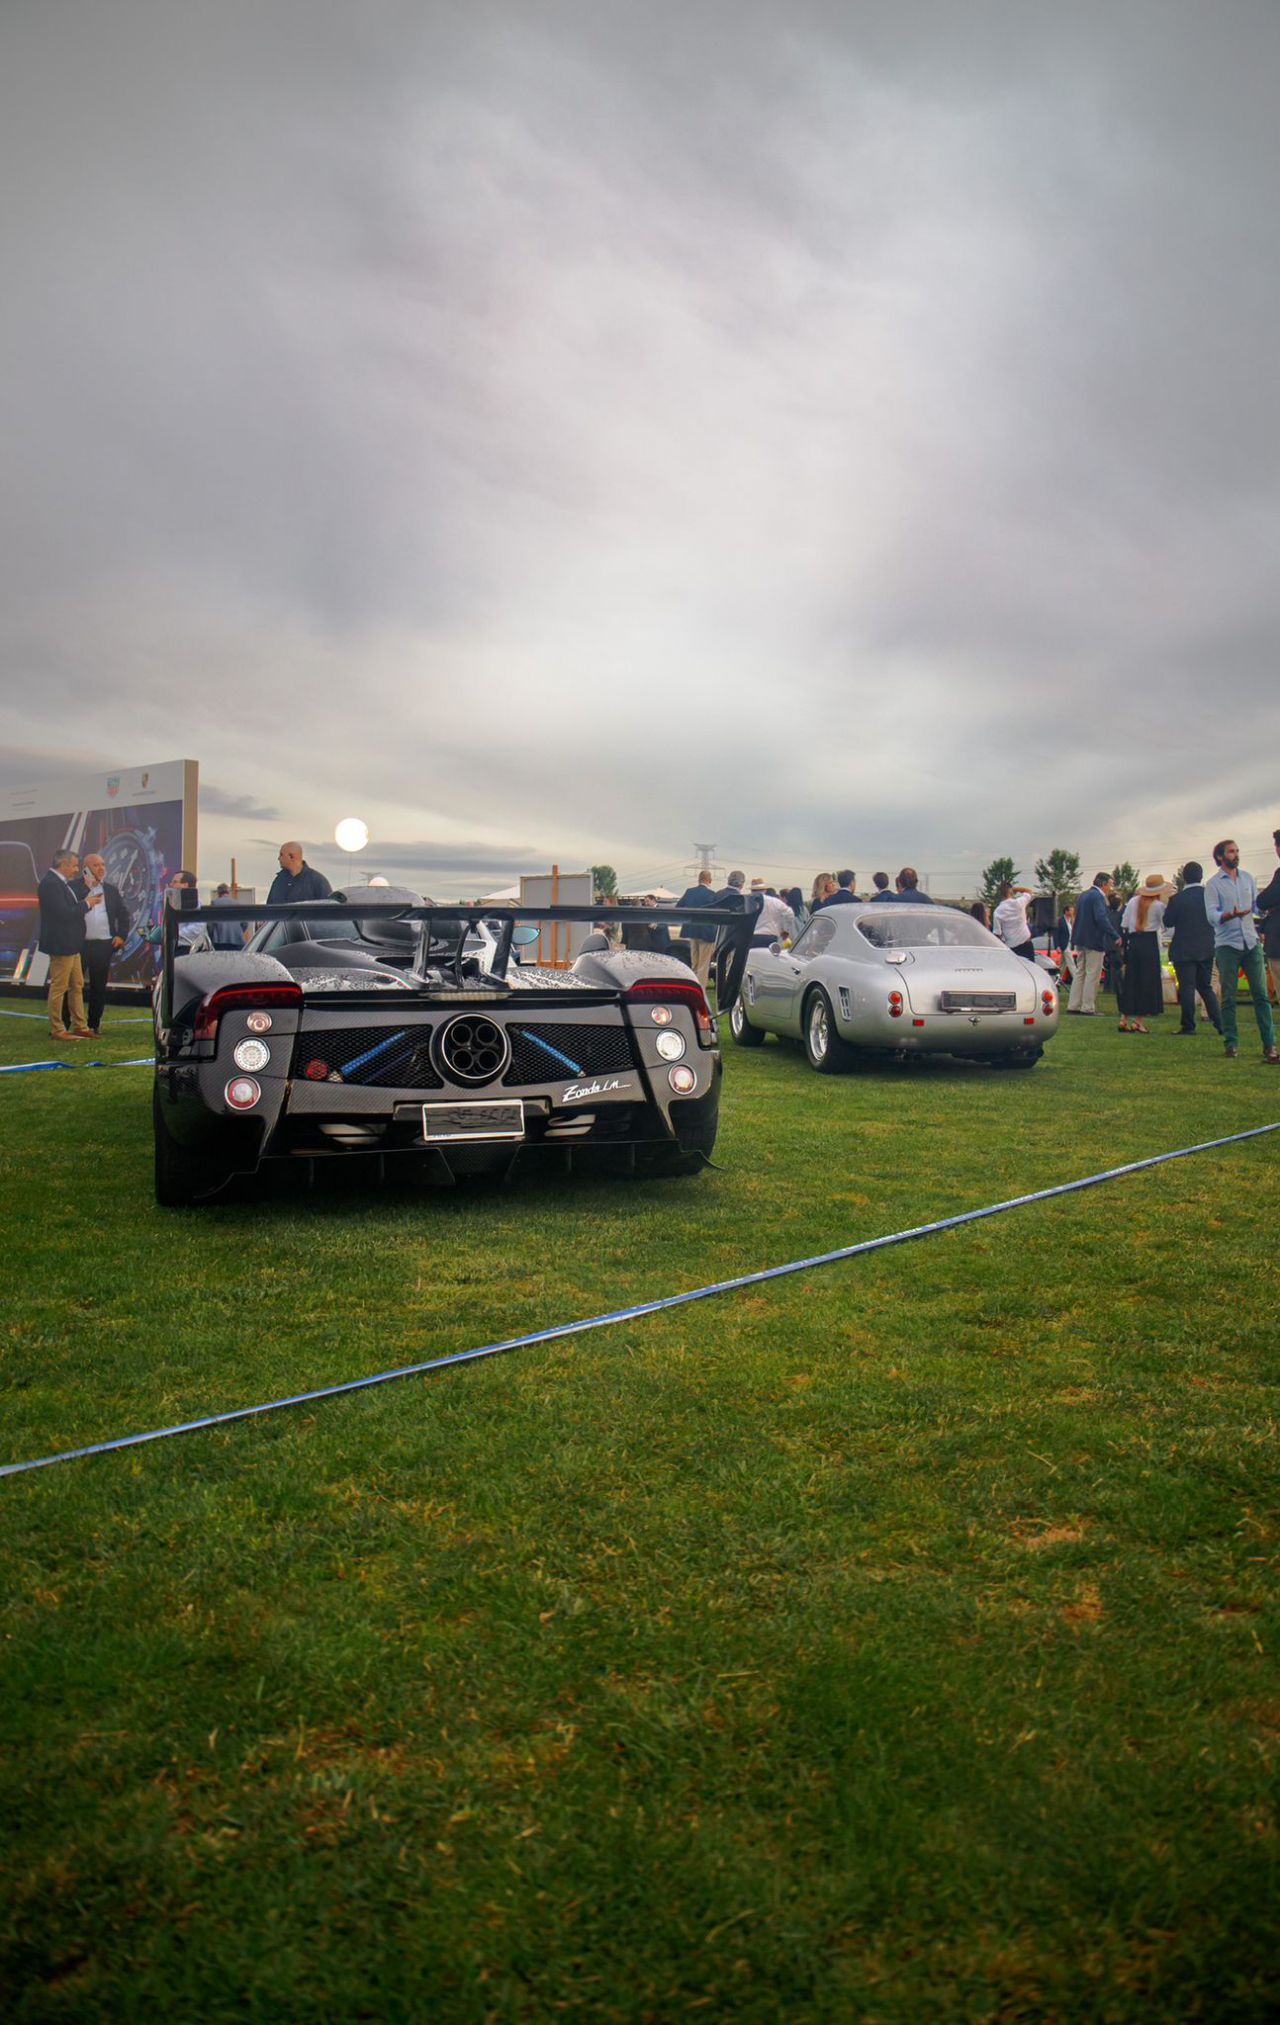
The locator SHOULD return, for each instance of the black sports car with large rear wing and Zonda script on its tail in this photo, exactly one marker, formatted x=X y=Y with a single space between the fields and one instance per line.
x=396 y=1028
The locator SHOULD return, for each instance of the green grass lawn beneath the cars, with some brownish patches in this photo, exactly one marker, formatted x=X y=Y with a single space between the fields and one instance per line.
x=896 y=1641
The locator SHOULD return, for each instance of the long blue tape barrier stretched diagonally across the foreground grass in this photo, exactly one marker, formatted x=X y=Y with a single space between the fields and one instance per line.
x=633 y=1313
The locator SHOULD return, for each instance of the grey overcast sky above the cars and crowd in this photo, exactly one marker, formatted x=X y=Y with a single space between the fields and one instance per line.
x=835 y=432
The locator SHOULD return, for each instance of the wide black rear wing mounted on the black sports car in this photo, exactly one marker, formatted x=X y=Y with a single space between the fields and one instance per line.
x=734 y=928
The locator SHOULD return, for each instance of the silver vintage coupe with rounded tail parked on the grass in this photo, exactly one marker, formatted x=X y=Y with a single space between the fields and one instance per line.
x=898 y=979
